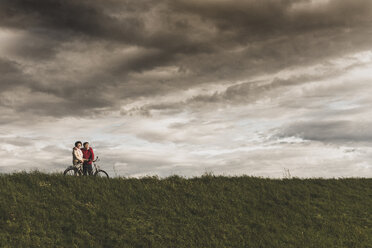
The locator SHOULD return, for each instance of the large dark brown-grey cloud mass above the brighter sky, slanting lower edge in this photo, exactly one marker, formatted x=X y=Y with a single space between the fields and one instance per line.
x=207 y=41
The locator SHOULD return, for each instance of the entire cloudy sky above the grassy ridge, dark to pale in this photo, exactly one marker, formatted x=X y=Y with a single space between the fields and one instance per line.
x=186 y=87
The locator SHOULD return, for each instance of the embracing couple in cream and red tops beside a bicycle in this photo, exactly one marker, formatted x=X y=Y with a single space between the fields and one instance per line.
x=83 y=155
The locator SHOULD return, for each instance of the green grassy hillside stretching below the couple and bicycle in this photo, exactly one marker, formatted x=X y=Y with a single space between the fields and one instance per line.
x=40 y=210
